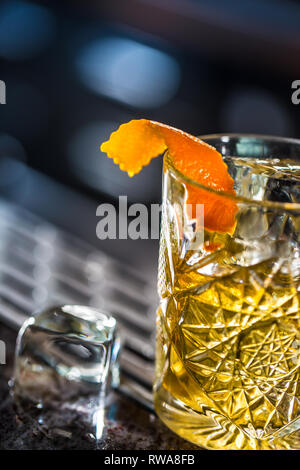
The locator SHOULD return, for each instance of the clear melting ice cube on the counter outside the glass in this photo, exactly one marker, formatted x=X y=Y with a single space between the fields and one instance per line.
x=66 y=361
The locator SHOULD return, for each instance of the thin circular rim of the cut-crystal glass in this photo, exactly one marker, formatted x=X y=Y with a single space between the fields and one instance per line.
x=285 y=206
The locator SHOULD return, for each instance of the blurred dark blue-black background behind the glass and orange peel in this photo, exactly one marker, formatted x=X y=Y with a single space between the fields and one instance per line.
x=75 y=70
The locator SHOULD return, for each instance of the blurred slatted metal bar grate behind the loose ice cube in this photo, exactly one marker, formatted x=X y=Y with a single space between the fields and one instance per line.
x=42 y=266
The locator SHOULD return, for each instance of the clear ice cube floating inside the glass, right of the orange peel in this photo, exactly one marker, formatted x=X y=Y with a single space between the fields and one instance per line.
x=264 y=232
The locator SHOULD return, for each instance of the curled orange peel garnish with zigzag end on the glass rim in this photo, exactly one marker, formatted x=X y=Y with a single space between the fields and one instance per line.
x=137 y=142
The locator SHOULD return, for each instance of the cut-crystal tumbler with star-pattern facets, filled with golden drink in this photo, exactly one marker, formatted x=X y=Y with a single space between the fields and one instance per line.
x=228 y=336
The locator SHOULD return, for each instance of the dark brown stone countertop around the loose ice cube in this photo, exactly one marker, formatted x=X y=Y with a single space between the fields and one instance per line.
x=127 y=425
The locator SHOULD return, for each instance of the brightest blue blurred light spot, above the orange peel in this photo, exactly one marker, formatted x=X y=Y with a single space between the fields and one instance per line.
x=129 y=72
